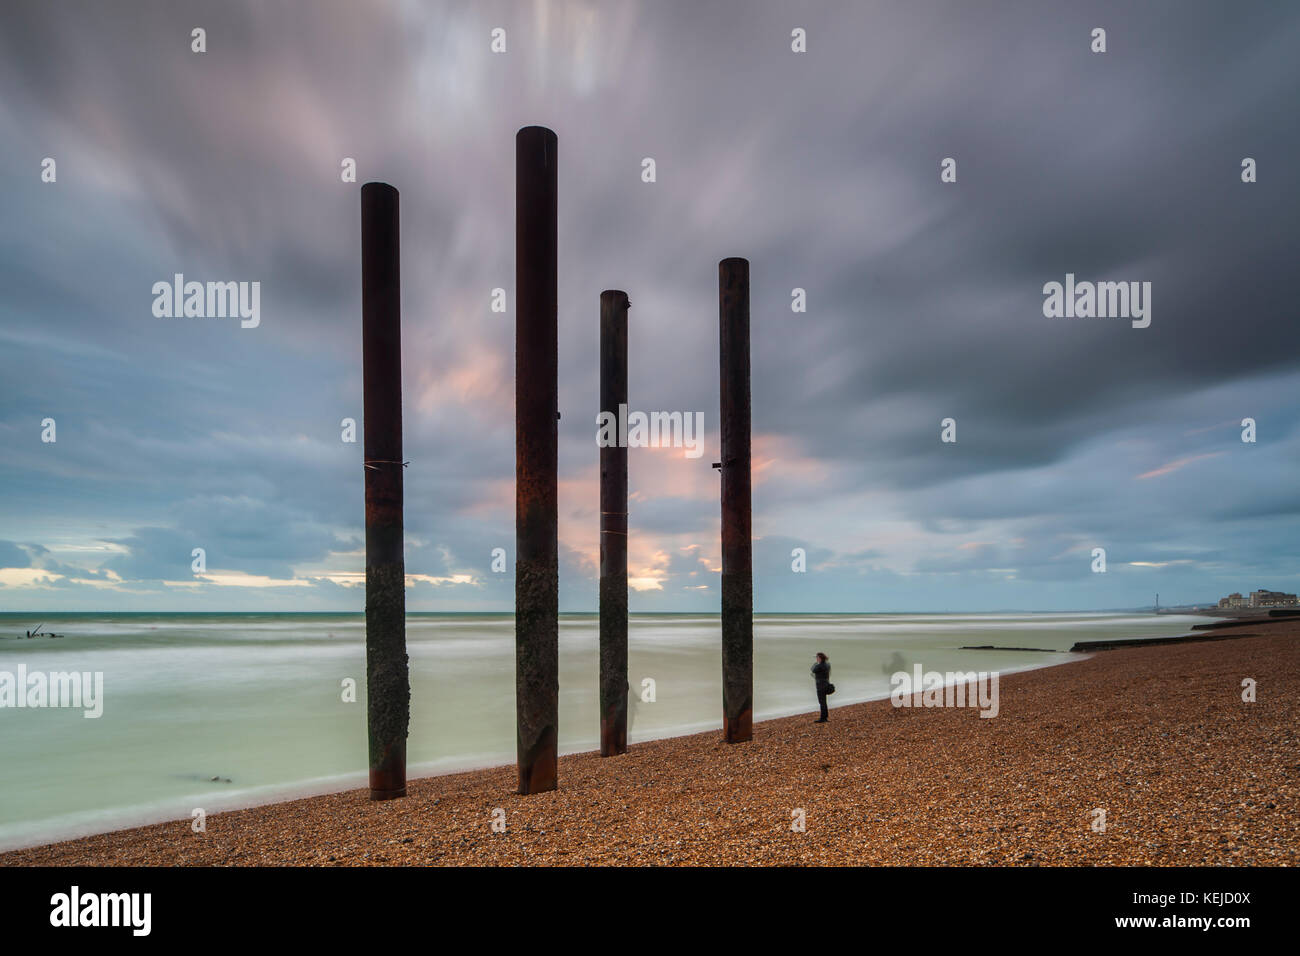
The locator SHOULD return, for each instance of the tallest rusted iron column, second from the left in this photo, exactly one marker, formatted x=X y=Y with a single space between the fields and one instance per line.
x=536 y=443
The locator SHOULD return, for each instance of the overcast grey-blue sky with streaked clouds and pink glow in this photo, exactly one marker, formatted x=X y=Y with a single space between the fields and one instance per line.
x=925 y=299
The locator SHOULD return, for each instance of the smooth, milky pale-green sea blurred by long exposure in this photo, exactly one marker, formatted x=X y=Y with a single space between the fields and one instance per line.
x=257 y=699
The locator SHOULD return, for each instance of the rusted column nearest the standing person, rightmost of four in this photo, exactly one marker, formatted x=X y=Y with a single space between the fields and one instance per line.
x=738 y=546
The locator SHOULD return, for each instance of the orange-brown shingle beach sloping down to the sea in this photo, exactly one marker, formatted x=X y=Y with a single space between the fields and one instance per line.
x=1159 y=738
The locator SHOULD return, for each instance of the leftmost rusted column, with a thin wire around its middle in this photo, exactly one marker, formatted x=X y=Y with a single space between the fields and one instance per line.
x=388 y=682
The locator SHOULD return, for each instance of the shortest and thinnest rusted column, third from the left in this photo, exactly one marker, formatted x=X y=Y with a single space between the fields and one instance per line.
x=614 y=531
